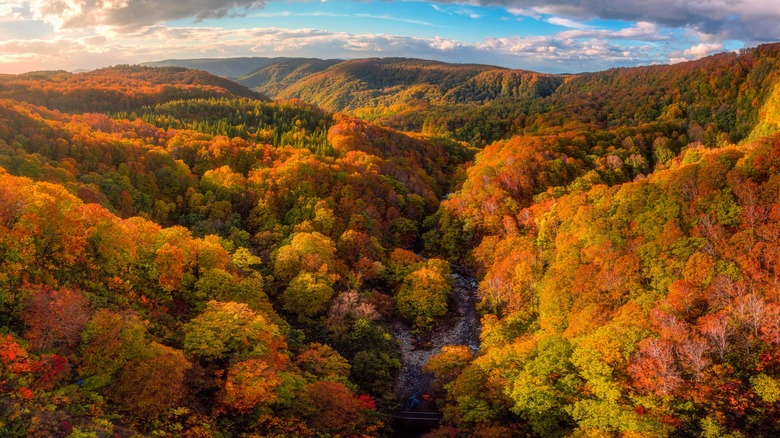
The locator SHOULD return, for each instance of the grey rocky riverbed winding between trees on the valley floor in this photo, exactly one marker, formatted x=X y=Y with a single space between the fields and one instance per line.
x=460 y=327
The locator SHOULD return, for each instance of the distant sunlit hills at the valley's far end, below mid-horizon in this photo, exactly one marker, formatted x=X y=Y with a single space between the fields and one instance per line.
x=374 y=82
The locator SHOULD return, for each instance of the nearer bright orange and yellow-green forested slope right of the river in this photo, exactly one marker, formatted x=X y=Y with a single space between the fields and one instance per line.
x=648 y=307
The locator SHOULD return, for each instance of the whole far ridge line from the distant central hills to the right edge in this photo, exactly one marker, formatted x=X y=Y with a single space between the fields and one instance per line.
x=434 y=97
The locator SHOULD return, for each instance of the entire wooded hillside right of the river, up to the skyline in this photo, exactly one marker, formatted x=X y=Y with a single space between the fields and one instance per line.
x=626 y=254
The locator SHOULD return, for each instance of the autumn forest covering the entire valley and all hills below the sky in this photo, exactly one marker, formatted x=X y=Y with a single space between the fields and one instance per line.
x=183 y=256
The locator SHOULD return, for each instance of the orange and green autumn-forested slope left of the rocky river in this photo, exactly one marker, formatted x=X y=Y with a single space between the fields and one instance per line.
x=222 y=265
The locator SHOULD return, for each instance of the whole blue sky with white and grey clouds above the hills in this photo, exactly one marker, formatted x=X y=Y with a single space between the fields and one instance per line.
x=553 y=36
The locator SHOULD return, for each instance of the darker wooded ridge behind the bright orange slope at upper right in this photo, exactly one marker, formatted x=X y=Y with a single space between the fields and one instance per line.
x=721 y=99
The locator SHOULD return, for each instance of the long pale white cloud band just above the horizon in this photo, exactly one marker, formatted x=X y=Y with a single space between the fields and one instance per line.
x=591 y=50
